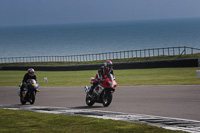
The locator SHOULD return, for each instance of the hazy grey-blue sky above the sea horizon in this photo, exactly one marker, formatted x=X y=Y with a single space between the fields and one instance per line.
x=34 y=12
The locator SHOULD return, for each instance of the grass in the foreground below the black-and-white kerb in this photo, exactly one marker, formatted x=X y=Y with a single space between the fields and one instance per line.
x=23 y=121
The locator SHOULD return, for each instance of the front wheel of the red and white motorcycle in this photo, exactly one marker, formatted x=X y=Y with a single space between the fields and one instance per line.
x=107 y=98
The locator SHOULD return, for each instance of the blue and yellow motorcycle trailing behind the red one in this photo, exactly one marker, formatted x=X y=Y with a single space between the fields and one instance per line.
x=29 y=92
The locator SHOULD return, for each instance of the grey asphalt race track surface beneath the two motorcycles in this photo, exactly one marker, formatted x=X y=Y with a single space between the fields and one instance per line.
x=178 y=101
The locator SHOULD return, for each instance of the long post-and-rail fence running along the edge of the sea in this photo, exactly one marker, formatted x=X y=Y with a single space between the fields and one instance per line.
x=169 y=51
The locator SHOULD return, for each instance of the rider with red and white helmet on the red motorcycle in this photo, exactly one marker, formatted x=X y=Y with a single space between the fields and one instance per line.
x=101 y=75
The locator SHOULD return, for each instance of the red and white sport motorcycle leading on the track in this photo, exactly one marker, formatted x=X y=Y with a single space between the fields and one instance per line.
x=102 y=93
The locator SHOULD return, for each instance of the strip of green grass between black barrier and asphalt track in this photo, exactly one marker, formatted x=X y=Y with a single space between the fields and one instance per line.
x=157 y=76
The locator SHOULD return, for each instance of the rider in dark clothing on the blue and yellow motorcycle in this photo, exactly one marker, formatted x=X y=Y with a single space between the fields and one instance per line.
x=29 y=75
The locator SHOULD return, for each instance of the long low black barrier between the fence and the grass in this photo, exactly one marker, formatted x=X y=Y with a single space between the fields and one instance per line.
x=117 y=66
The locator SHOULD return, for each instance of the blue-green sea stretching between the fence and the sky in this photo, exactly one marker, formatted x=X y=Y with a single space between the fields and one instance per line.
x=91 y=38
